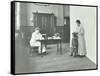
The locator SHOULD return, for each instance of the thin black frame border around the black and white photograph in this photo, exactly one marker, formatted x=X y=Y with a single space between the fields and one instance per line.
x=13 y=36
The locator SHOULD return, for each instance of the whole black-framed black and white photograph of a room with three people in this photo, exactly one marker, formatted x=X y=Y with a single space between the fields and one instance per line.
x=51 y=37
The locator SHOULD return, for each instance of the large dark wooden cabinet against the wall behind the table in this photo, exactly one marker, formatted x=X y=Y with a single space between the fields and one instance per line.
x=46 y=22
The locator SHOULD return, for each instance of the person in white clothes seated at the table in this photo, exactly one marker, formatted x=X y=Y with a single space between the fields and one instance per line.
x=36 y=35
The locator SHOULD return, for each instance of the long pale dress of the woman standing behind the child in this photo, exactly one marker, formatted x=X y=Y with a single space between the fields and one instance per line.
x=81 y=41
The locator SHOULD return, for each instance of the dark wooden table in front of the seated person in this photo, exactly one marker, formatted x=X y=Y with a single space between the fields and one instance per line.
x=57 y=41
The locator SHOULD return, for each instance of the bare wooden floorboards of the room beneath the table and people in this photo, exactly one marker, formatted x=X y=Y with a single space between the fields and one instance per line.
x=50 y=62
